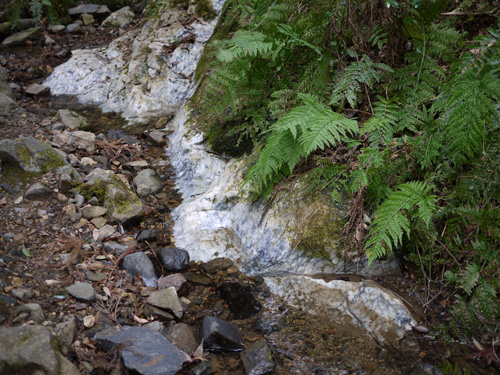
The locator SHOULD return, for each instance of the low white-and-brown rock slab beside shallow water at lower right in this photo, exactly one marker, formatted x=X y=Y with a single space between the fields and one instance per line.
x=365 y=304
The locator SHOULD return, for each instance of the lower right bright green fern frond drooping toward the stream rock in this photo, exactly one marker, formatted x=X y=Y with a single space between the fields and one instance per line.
x=391 y=222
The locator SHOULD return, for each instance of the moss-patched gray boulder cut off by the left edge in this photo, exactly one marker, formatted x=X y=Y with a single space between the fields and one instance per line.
x=30 y=155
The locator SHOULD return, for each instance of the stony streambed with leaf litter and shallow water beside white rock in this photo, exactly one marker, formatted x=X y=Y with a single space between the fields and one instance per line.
x=90 y=279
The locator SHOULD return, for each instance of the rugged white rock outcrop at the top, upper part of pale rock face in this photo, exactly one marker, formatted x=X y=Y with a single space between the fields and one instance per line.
x=151 y=83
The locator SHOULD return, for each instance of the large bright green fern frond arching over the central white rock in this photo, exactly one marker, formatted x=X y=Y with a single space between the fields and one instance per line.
x=297 y=134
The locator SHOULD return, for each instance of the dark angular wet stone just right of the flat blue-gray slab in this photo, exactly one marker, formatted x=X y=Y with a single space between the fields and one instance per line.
x=220 y=335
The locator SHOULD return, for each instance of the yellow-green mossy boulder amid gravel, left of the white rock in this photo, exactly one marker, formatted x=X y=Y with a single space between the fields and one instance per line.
x=122 y=203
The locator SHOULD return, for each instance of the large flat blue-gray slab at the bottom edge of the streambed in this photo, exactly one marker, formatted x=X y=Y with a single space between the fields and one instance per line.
x=144 y=351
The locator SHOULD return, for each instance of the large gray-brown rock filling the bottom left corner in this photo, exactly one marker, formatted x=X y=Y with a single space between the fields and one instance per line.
x=30 y=350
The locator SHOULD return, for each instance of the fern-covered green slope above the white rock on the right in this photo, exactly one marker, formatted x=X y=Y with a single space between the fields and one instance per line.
x=393 y=107
